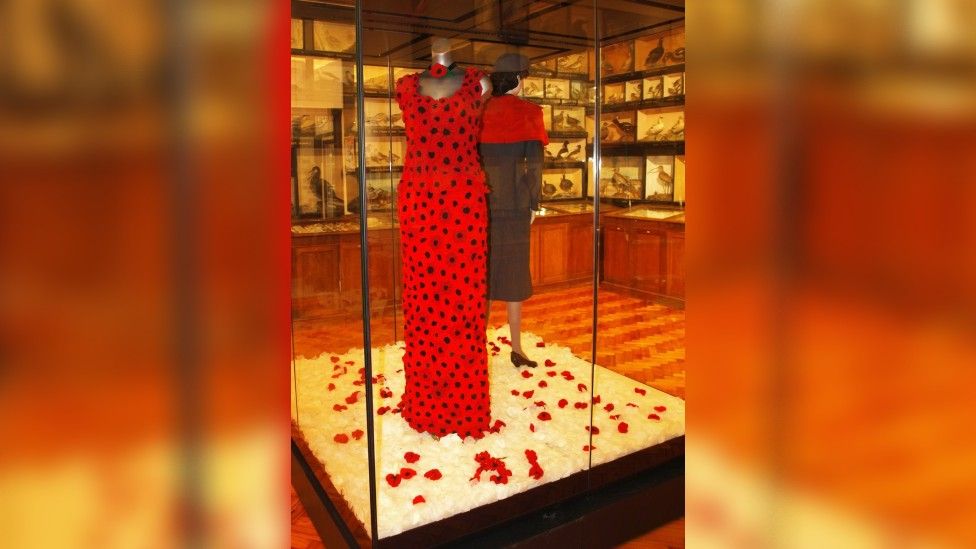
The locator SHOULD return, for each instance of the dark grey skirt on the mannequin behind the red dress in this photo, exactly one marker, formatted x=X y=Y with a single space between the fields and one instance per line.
x=509 y=278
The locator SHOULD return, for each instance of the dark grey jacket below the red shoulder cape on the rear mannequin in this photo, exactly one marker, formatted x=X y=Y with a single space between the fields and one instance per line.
x=514 y=174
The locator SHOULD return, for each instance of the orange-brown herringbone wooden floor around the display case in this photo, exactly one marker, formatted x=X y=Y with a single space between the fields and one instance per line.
x=638 y=338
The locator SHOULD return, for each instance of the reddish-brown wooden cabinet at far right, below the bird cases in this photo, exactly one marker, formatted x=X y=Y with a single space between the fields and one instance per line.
x=643 y=256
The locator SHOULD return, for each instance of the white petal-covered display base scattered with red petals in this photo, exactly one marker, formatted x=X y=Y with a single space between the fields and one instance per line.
x=622 y=416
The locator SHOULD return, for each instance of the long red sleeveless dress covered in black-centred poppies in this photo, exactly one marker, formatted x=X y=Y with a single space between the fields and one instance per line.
x=443 y=244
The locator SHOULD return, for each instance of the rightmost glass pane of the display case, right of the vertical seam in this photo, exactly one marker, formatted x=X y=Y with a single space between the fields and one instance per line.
x=639 y=376
